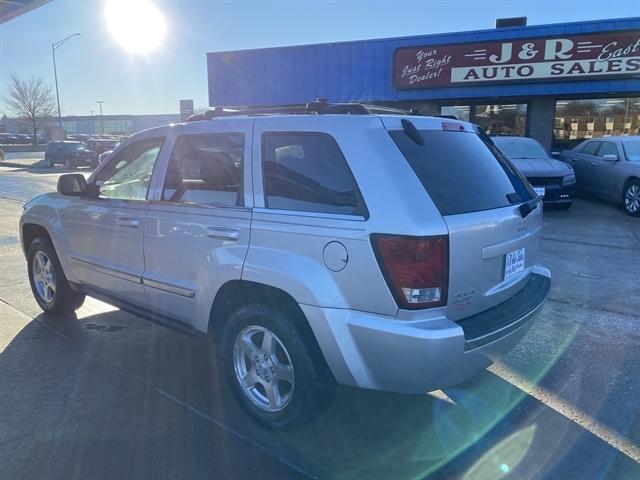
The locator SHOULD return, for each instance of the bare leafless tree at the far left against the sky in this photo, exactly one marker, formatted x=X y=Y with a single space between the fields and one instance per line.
x=30 y=100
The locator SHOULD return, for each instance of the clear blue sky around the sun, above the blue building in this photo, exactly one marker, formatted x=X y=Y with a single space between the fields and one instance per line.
x=96 y=67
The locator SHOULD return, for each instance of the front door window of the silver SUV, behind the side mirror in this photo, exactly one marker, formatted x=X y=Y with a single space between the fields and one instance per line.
x=127 y=175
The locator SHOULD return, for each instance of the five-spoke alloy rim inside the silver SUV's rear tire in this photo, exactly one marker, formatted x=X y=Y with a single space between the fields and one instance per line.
x=263 y=368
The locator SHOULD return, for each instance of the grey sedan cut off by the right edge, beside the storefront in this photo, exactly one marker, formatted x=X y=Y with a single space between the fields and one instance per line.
x=609 y=168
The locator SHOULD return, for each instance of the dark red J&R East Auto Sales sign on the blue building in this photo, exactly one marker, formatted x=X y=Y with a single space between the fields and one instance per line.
x=575 y=57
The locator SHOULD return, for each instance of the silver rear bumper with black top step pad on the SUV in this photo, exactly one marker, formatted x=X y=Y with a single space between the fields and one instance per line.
x=377 y=352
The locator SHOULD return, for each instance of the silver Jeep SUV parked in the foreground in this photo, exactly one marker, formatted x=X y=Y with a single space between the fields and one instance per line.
x=390 y=252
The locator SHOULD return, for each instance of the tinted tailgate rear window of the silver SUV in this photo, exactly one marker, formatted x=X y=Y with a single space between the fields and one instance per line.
x=461 y=171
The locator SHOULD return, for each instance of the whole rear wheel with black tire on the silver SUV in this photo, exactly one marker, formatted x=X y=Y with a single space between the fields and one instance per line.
x=305 y=384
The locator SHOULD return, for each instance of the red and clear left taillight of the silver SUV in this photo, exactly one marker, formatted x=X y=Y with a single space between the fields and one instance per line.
x=416 y=268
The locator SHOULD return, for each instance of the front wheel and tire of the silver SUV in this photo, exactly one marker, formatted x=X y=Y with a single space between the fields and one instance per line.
x=48 y=283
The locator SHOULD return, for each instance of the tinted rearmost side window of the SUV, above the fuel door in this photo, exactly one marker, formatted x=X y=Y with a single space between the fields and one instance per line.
x=308 y=172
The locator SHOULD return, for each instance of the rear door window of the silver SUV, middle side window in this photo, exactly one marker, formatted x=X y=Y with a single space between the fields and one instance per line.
x=206 y=169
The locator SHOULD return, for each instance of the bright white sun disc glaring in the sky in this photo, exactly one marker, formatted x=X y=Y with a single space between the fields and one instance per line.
x=138 y=25
